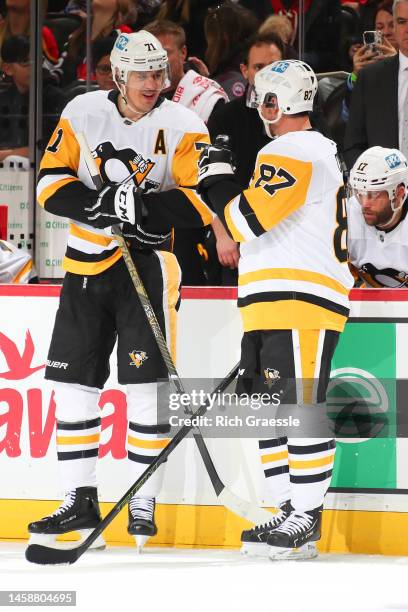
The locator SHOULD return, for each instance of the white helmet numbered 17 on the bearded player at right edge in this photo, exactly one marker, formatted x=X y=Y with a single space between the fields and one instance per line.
x=379 y=169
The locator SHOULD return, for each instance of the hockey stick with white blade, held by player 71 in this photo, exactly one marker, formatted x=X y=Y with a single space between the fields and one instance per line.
x=227 y=498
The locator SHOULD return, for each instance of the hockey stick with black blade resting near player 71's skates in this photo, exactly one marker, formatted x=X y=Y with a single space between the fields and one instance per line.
x=49 y=555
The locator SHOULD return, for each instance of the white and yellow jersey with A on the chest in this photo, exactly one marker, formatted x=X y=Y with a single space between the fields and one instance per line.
x=163 y=148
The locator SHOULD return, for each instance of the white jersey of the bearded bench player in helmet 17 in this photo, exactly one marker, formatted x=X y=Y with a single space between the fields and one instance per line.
x=379 y=258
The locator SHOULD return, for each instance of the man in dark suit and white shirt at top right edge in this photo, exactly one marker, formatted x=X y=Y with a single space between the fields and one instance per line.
x=378 y=114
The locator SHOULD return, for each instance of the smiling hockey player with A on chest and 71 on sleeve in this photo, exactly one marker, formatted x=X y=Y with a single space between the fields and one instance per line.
x=130 y=131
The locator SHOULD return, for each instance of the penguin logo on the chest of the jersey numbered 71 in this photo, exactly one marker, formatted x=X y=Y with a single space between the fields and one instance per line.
x=110 y=159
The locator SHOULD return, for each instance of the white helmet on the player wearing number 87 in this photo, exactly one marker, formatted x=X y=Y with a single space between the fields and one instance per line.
x=291 y=85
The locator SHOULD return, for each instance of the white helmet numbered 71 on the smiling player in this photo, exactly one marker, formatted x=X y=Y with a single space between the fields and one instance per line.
x=138 y=52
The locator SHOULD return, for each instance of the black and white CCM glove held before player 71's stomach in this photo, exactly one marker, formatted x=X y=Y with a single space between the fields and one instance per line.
x=115 y=204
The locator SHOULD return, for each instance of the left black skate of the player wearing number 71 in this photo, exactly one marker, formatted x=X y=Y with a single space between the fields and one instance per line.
x=78 y=512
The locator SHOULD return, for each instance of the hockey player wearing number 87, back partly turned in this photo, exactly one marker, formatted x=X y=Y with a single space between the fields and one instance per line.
x=292 y=292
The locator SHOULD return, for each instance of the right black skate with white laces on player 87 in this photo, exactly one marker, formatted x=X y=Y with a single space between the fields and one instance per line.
x=296 y=537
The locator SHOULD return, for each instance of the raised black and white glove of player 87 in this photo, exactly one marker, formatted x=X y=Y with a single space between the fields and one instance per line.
x=215 y=164
